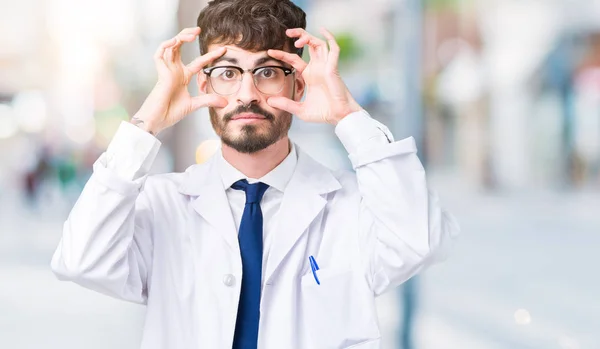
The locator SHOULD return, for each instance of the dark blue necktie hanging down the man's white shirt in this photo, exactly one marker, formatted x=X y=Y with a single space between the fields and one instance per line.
x=250 y=238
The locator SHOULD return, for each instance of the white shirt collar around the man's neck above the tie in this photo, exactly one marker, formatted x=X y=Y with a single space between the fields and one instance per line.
x=278 y=178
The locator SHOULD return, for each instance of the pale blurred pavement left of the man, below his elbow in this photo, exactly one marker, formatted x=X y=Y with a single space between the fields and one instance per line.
x=38 y=311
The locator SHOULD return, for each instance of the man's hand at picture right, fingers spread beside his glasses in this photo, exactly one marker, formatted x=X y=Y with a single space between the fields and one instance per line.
x=327 y=98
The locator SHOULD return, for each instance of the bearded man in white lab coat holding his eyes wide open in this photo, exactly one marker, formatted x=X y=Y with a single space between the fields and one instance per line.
x=260 y=247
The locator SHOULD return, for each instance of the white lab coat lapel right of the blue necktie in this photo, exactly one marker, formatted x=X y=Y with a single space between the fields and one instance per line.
x=303 y=200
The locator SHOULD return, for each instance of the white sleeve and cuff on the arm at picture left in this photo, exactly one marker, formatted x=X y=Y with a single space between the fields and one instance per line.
x=107 y=242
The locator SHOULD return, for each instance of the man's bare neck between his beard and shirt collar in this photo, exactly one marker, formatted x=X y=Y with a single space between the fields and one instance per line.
x=256 y=165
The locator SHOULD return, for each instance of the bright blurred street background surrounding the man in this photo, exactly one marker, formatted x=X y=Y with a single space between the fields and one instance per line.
x=502 y=96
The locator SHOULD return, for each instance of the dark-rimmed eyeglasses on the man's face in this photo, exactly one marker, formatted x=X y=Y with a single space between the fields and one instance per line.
x=227 y=80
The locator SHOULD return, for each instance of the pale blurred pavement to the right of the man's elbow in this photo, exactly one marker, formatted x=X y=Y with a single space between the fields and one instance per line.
x=522 y=275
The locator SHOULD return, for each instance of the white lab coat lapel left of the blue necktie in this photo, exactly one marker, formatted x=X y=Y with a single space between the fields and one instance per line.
x=203 y=183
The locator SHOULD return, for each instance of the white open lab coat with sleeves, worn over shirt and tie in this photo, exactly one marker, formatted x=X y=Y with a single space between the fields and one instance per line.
x=169 y=241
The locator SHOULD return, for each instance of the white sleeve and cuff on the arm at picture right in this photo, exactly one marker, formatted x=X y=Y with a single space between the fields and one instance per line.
x=403 y=228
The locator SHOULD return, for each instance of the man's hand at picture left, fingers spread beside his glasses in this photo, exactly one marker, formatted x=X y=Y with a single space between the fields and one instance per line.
x=170 y=101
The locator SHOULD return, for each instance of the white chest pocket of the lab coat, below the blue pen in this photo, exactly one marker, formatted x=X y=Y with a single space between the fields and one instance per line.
x=340 y=311
